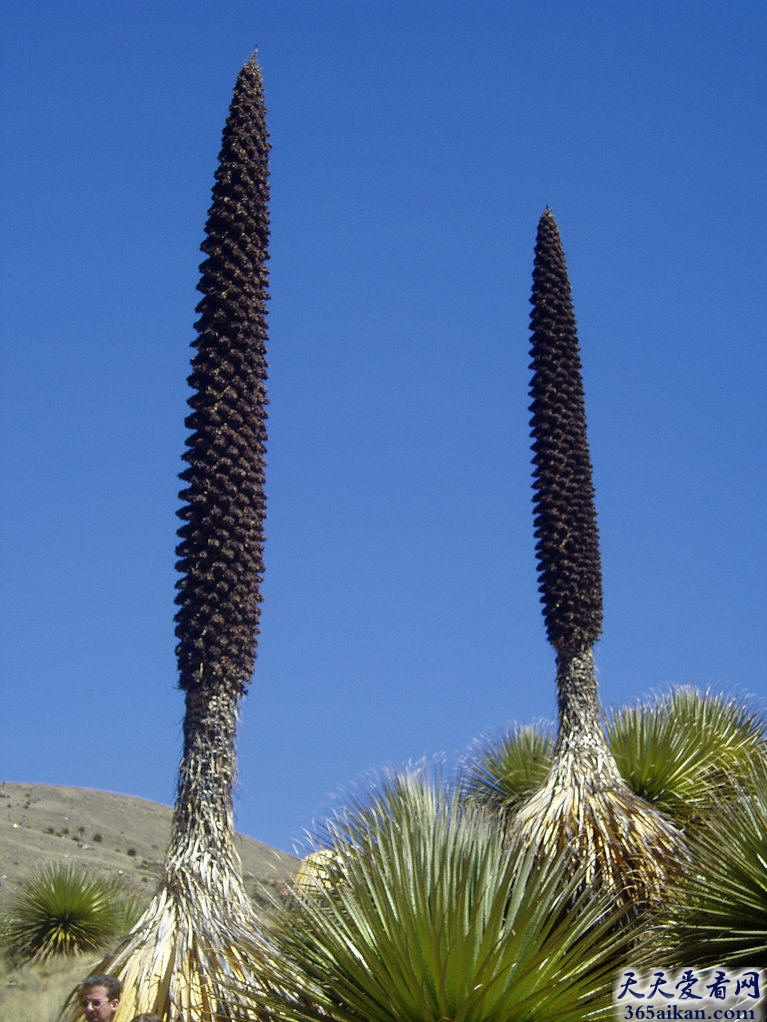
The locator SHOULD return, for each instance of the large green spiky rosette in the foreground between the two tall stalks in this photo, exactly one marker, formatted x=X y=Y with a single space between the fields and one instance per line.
x=423 y=911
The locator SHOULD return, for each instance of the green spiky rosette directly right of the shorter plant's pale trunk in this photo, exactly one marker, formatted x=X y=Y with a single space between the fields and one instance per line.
x=686 y=751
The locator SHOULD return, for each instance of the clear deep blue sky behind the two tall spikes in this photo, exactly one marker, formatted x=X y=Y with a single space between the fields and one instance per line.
x=415 y=148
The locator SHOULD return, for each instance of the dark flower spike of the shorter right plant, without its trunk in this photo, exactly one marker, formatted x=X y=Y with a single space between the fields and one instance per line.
x=568 y=548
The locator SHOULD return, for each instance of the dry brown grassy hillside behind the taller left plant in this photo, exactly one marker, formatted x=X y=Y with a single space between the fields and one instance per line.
x=108 y=833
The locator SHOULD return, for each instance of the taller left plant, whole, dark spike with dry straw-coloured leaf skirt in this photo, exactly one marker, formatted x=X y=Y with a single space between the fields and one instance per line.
x=196 y=945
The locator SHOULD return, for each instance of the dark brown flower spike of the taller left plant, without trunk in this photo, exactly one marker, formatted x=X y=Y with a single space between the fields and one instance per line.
x=222 y=539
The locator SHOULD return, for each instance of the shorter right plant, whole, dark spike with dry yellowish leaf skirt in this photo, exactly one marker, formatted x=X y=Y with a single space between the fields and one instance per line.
x=585 y=811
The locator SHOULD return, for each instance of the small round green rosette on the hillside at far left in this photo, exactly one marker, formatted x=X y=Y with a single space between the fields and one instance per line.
x=65 y=911
